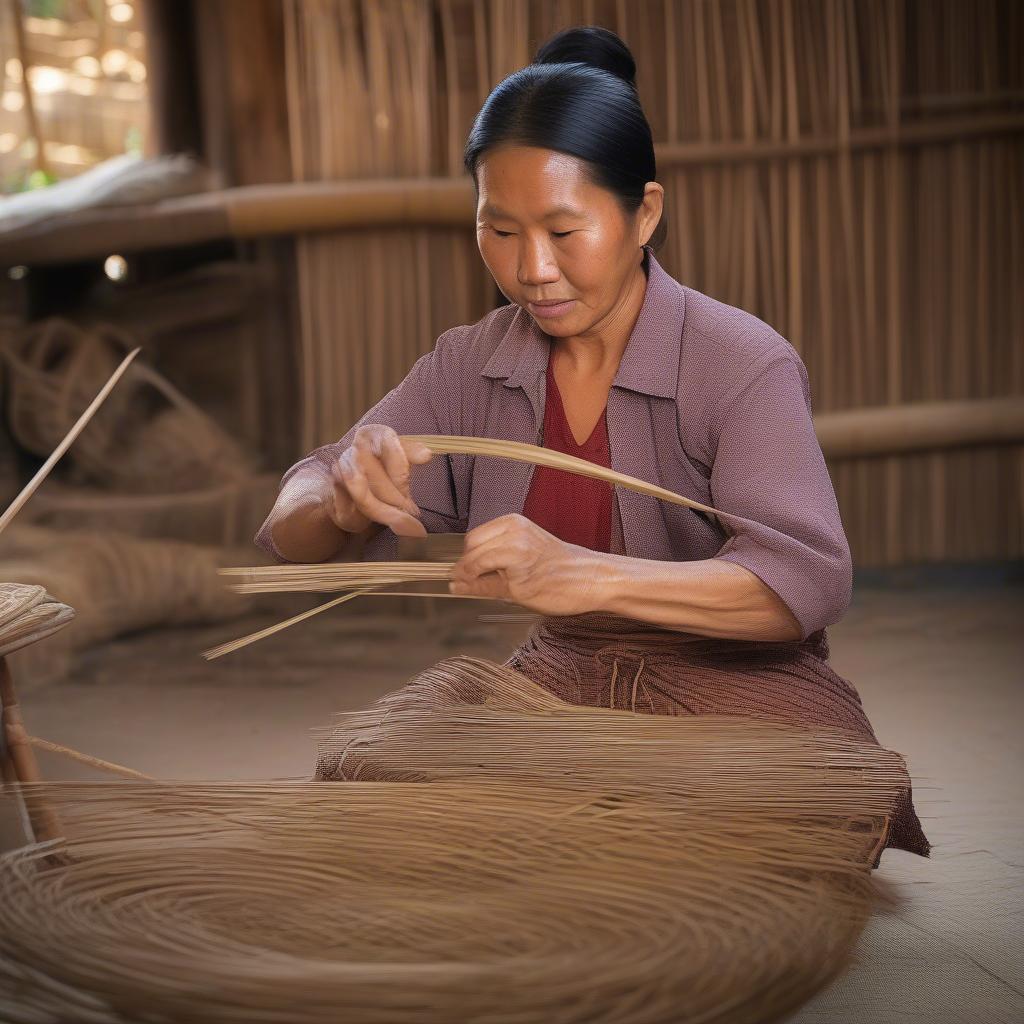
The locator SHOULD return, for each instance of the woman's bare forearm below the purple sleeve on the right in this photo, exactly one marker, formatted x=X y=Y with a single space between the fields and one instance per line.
x=710 y=598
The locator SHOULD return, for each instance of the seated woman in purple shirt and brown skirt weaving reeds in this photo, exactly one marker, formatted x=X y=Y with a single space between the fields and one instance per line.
x=604 y=356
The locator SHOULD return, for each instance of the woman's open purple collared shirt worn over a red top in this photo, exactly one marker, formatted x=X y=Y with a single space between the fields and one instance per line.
x=709 y=402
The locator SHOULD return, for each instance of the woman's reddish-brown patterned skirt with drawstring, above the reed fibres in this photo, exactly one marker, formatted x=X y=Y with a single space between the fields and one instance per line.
x=605 y=661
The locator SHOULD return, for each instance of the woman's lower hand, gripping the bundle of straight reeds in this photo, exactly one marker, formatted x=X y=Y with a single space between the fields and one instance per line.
x=511 y=559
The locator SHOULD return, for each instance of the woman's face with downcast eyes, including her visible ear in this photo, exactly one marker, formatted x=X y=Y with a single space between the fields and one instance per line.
x=557 y=244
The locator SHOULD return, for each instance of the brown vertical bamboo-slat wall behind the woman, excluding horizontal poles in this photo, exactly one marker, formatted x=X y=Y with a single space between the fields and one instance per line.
x=849 y=170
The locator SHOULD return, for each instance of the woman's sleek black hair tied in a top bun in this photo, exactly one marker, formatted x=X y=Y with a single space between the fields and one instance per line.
x=579 y=98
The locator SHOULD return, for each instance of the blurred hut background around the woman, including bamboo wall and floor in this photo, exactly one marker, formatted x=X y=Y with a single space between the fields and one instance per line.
x=268 y=197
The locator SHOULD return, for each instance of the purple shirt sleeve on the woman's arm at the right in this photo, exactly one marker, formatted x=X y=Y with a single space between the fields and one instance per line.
x=770 y=475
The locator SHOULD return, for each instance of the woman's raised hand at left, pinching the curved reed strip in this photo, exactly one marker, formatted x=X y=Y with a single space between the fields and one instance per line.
x=371 y=483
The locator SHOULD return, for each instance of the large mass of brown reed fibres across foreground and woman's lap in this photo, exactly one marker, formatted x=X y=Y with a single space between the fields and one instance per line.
x=528 y=861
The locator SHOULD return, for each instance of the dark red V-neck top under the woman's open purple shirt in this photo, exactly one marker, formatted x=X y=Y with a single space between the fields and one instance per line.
x=576 y=509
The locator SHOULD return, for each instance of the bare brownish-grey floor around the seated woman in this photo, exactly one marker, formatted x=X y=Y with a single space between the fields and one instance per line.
x=938 y=660
